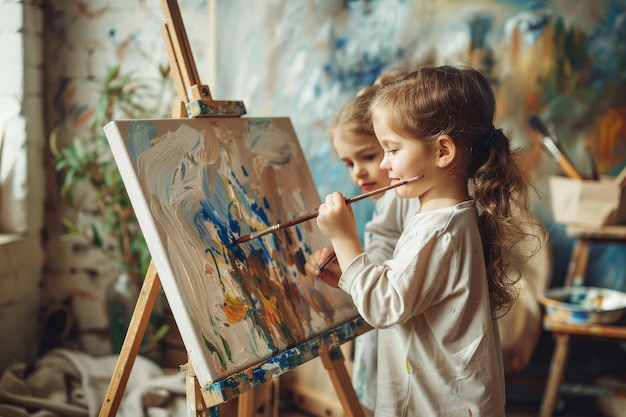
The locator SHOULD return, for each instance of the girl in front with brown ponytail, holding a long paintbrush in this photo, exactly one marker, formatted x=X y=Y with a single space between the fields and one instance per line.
x=436 y=302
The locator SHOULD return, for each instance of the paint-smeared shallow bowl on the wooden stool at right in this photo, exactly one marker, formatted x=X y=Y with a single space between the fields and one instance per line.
x=584 y=305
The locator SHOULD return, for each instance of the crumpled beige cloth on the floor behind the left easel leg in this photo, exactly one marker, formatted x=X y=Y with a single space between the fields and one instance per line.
x=65 y=383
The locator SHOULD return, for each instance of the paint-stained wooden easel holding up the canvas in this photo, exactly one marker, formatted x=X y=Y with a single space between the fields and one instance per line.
x=195 y=101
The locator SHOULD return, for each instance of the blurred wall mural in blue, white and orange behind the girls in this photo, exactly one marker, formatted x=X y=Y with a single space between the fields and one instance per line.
x=564 y=61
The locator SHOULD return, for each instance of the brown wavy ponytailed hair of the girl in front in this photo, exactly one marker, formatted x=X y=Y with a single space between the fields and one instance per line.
x=460 y=102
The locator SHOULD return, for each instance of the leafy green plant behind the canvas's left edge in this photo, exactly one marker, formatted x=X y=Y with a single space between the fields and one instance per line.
x=90 y=181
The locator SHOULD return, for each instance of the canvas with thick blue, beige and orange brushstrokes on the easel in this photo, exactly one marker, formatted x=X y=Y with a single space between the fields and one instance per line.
x=196 y=185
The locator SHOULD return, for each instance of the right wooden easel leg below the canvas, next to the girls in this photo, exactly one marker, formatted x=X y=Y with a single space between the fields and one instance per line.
x=334 y=364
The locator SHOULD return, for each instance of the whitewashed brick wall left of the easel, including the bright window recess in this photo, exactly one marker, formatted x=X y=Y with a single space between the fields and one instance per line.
x=49 y=49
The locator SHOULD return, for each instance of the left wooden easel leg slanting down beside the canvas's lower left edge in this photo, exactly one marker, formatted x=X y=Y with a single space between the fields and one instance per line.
x=132 y=342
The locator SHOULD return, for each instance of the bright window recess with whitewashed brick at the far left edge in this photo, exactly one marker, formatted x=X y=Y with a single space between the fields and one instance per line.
x=21 y=179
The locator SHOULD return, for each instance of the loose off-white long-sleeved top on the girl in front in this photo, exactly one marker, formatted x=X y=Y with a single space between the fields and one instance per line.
x=438 y=347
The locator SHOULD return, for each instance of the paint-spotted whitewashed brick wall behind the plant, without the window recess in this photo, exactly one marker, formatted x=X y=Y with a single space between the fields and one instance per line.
x=85 y=40
